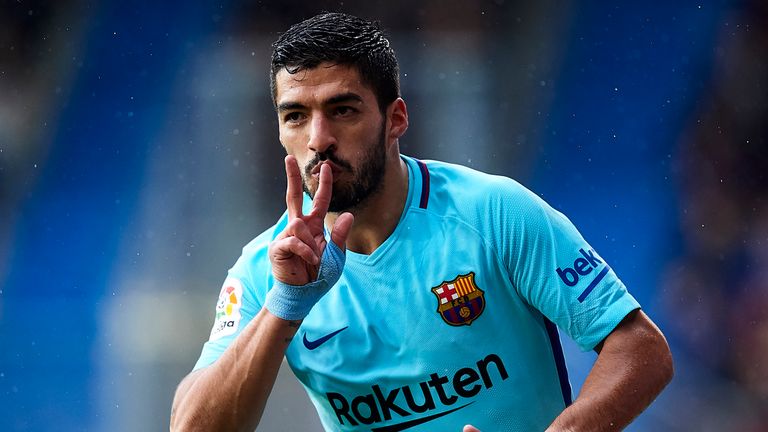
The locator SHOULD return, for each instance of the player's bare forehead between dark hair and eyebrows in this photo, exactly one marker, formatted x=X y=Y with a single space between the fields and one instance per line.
x=320 y=83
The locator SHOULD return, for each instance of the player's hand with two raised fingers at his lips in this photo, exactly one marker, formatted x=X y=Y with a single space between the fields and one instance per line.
x=296 y=252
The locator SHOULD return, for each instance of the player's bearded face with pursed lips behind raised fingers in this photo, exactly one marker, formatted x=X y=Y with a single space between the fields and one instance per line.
x=327 y=115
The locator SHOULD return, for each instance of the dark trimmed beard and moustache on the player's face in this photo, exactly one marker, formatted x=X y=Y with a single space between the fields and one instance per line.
x=366 y=178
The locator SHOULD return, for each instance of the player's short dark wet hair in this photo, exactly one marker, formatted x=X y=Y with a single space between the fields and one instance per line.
x=344 y=40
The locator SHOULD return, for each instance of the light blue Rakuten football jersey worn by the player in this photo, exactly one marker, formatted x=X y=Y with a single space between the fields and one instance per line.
x=452 y=320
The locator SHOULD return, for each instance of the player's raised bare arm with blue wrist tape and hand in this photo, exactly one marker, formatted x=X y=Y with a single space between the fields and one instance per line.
x=231 y=393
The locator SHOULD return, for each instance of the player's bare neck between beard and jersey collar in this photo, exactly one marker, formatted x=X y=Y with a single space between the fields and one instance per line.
x=377 y=217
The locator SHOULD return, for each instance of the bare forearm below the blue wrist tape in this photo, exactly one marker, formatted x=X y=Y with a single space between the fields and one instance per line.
x=231 y=393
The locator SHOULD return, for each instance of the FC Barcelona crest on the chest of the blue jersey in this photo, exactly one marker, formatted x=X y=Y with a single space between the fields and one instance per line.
x=459 y=301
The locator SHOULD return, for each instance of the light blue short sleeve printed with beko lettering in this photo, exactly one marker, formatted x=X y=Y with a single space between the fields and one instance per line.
x=560 y=274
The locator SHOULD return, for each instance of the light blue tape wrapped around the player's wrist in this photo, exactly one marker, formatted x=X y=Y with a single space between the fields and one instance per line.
x=293 y=302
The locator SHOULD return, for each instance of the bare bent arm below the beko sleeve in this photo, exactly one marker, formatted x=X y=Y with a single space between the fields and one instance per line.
x=633 y=366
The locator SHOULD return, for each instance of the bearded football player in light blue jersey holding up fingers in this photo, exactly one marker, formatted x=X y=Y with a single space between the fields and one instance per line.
x=425 y=295
